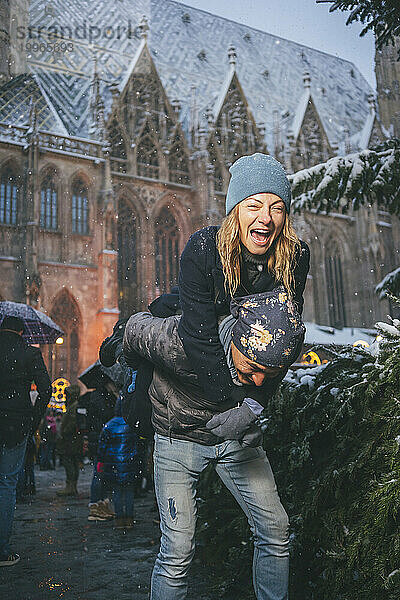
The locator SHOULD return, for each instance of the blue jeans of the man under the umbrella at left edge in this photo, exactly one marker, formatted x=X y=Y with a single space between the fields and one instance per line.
x=11 y=461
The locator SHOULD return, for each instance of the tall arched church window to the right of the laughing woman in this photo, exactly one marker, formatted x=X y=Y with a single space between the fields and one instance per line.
x=335 y=288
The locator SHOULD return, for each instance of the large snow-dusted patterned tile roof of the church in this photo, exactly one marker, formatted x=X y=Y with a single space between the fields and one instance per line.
x=189 y=48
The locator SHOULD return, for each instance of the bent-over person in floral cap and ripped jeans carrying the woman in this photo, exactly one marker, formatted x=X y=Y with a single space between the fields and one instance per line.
x=261 y=339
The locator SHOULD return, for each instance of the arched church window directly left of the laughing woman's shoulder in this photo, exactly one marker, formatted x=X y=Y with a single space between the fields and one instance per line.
x=166 y=250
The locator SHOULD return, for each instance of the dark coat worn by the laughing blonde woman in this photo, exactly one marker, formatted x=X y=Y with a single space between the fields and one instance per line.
x=204 y=299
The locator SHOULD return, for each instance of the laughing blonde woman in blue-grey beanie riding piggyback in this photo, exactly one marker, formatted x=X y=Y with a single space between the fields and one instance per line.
x=255 y=250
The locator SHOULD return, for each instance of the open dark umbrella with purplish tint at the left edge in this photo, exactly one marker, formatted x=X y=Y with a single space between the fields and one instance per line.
x=39 y=328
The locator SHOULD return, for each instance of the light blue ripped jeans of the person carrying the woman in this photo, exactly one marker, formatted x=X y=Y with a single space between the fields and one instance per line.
x=247 y=474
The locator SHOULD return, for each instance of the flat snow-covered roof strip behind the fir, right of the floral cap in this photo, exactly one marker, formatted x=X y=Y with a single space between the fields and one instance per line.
x=324 y=335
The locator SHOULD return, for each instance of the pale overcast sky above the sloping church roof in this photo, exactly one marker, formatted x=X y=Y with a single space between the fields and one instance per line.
x=302 y=21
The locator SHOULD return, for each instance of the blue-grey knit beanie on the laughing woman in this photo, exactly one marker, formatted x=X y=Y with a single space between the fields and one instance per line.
x=257 y=174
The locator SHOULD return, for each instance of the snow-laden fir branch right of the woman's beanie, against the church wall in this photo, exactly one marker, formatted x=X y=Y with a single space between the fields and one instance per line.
x=348 y=182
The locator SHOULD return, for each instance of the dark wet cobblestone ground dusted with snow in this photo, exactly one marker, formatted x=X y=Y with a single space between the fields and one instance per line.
x=63 y=556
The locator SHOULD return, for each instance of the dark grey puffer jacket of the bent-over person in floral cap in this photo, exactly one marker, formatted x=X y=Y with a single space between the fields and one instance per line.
x=180 y=407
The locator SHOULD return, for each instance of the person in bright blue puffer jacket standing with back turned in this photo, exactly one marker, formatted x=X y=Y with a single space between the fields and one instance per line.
x=118 y=464
